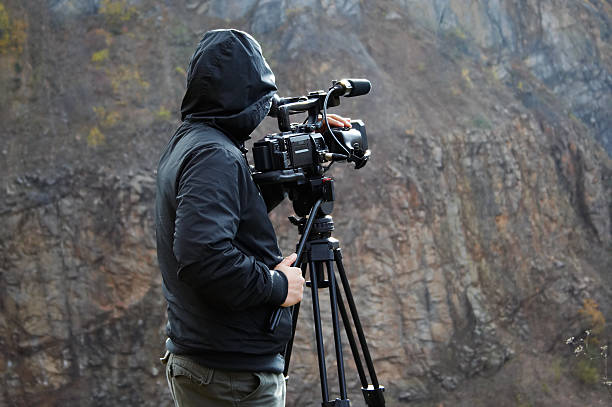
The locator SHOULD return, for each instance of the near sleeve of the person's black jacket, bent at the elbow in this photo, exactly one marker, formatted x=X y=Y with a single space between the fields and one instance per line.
x=207 y=219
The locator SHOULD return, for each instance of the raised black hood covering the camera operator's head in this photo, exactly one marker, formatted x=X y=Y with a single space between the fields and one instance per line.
x=229 y=83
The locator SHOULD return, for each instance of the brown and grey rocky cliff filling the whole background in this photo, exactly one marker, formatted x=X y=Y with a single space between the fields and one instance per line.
x=477 y=239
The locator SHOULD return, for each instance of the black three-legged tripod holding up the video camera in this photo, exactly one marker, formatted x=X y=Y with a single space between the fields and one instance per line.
x=320 y=252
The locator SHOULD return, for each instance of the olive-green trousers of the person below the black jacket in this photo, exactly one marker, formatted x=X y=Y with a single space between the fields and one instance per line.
x=192 y=384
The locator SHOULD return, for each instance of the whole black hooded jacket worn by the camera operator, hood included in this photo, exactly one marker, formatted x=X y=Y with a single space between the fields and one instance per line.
x=216 y=246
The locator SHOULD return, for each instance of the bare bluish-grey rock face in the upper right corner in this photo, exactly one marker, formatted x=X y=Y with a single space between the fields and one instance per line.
x=552 y=38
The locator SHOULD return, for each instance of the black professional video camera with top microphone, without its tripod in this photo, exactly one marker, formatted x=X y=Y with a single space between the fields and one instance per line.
x=299 y=152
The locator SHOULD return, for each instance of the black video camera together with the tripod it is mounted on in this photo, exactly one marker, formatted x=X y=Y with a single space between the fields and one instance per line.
x=294 y=161
